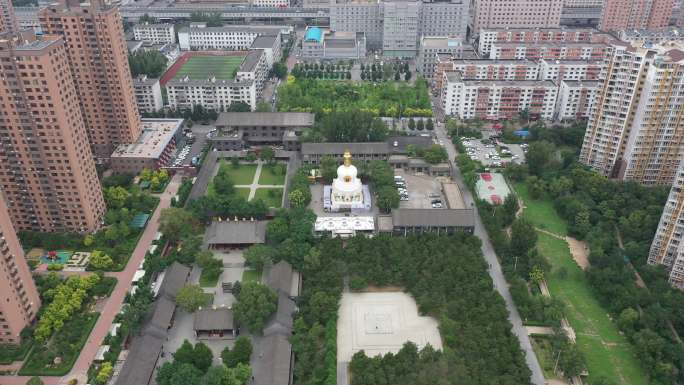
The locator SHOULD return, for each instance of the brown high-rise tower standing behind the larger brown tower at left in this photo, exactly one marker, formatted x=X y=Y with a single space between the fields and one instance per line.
x=98 y=58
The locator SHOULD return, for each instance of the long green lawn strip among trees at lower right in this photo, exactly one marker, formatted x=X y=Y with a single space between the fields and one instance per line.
x=608 y=353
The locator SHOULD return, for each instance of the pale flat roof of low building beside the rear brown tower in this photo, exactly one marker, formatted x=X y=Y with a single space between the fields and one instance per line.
x=155 y=136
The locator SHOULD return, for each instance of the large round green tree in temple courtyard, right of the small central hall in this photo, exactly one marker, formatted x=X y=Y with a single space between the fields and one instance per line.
x=254 y=305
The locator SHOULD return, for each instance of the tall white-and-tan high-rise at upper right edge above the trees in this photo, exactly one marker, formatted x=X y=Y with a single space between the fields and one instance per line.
x=636 y=131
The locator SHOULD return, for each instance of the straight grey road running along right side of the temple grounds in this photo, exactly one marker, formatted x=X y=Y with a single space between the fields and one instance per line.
x=495 y=272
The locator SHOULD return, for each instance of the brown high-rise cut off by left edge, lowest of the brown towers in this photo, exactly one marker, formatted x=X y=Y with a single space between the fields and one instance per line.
x=19 y=300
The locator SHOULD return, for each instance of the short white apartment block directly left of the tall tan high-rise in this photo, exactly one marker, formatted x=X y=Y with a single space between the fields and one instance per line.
x=576 y=99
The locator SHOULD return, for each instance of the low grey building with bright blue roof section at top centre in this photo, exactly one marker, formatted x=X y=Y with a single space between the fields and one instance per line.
x=327 y=45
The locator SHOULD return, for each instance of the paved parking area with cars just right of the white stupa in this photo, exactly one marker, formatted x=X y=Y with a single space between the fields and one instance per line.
x=421 y=192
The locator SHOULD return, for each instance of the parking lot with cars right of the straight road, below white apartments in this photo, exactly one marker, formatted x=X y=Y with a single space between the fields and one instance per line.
x=492 y=153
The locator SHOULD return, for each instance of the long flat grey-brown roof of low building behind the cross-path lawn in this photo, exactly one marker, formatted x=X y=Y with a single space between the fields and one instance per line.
x=252 y=119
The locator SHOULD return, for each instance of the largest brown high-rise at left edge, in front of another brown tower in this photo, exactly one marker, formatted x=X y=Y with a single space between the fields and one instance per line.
x=47 y=169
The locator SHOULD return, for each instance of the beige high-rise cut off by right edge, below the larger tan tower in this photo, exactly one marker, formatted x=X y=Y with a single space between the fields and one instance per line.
x=668 y=246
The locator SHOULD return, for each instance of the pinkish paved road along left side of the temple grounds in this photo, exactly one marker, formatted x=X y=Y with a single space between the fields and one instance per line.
x=115 y=301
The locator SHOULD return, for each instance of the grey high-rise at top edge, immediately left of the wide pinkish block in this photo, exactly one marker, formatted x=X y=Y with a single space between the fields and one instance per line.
x=445 y=18
